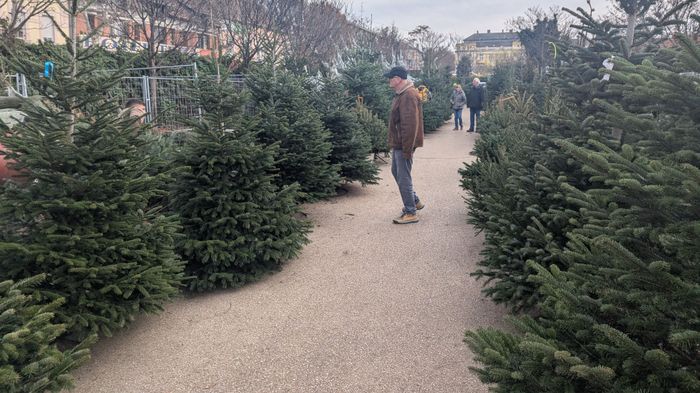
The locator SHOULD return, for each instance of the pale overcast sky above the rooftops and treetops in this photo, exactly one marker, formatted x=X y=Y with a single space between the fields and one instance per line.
x=460 y=17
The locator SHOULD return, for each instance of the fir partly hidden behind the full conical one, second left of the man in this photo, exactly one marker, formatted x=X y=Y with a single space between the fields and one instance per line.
x=287 y=118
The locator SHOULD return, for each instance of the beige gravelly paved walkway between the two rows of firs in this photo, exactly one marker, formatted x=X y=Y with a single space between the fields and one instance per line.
x=369 y=306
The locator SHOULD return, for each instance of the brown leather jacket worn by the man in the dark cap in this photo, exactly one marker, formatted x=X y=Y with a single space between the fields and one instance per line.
x=406 y=121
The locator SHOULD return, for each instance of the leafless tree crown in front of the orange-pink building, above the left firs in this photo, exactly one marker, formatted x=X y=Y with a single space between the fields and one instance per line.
x=252 y=27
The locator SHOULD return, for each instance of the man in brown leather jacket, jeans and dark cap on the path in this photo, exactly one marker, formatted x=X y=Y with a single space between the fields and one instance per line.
x=405 y=135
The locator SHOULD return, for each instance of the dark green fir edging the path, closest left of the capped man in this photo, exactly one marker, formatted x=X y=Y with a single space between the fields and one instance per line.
x=351 y=146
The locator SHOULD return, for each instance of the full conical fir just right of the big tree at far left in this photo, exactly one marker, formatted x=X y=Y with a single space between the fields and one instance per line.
x=237 y=224
